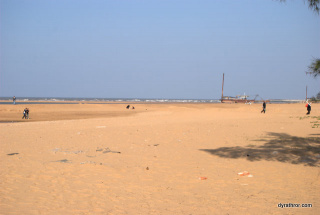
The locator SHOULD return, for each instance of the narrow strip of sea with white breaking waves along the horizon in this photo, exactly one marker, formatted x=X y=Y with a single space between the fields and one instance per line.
x=52 y=100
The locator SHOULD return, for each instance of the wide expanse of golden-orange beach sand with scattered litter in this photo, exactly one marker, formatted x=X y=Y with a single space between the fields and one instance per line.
x=159 y=159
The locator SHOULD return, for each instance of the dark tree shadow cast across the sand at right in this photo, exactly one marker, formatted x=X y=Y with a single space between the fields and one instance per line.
x=277 y=147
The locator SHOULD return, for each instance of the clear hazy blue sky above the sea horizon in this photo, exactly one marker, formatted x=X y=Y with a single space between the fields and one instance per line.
x=170 y=49
